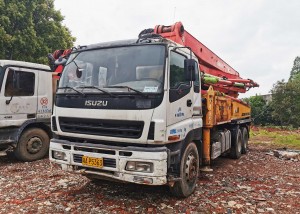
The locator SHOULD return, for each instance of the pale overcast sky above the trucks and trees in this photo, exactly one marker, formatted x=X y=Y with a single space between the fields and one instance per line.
x=258 y=38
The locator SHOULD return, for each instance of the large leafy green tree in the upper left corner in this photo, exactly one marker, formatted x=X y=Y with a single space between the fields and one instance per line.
x=30 y=29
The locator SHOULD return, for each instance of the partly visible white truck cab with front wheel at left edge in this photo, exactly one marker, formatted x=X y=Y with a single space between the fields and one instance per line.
x=26 y=98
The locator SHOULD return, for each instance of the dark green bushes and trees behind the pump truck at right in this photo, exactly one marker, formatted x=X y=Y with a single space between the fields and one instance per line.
x=284 y=109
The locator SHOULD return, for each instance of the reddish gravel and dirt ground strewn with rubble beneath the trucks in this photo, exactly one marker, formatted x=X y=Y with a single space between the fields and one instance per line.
x=256 y=183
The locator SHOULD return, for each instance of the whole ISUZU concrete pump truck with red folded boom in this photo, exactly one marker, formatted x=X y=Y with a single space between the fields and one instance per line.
x=153 y=110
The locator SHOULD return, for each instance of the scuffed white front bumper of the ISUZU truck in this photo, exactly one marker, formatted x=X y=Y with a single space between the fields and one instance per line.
x=114 y=161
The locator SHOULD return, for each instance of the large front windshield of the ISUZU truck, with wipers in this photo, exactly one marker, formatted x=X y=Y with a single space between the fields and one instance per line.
x=130 y=69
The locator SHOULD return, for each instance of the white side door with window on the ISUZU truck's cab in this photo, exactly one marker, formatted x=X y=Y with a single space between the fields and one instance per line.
x=184 y=104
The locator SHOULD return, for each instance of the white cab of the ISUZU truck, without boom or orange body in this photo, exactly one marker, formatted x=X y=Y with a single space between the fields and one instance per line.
x=124 y=111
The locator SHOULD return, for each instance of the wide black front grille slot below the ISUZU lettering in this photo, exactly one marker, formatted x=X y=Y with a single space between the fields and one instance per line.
x=111 y=128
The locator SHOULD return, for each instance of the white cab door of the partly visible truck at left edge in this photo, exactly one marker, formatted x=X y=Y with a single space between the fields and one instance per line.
x=18 y=100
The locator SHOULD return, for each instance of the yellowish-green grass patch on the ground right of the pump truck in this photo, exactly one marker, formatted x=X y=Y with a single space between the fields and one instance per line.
x=279 y=138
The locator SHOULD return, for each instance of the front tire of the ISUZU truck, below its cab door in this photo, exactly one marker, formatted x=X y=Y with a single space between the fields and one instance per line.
x=189 y=171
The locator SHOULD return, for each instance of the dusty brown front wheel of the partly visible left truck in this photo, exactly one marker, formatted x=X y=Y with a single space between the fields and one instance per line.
x=33 y=145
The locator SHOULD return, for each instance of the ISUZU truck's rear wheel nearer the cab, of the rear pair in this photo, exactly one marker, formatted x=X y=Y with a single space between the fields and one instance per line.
x=236 y=143
